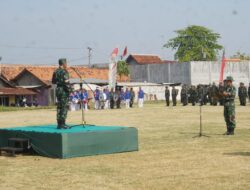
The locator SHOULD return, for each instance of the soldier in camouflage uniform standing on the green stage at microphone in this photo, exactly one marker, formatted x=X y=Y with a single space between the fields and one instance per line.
x=61 y=79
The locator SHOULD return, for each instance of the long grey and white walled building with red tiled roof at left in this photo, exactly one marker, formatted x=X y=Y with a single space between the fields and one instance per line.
x=150 y=68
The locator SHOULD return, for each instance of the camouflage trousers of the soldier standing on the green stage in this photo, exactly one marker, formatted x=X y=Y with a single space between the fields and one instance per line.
x=62 y=108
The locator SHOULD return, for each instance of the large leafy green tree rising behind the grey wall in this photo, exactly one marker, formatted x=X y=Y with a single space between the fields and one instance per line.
x=195 y=43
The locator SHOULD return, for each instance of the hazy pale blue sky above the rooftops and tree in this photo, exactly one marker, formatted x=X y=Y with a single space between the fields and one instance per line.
x=42 y=31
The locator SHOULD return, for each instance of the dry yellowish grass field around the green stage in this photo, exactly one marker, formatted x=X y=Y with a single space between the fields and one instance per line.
x=169 y=156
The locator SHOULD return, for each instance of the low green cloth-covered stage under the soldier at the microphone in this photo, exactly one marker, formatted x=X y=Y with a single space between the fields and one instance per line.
x=78 y=141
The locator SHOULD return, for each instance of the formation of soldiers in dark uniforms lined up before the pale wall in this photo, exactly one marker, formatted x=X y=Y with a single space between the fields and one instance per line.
x=211 y=94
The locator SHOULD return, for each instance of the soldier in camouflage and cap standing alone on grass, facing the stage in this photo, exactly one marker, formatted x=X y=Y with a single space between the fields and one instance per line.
x=229 y=94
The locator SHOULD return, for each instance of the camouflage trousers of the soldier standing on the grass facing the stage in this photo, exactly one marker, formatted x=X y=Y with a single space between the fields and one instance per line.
x=229 y=114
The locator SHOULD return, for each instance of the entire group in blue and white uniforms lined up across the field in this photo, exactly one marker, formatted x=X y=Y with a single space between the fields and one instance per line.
x=106 y=99
